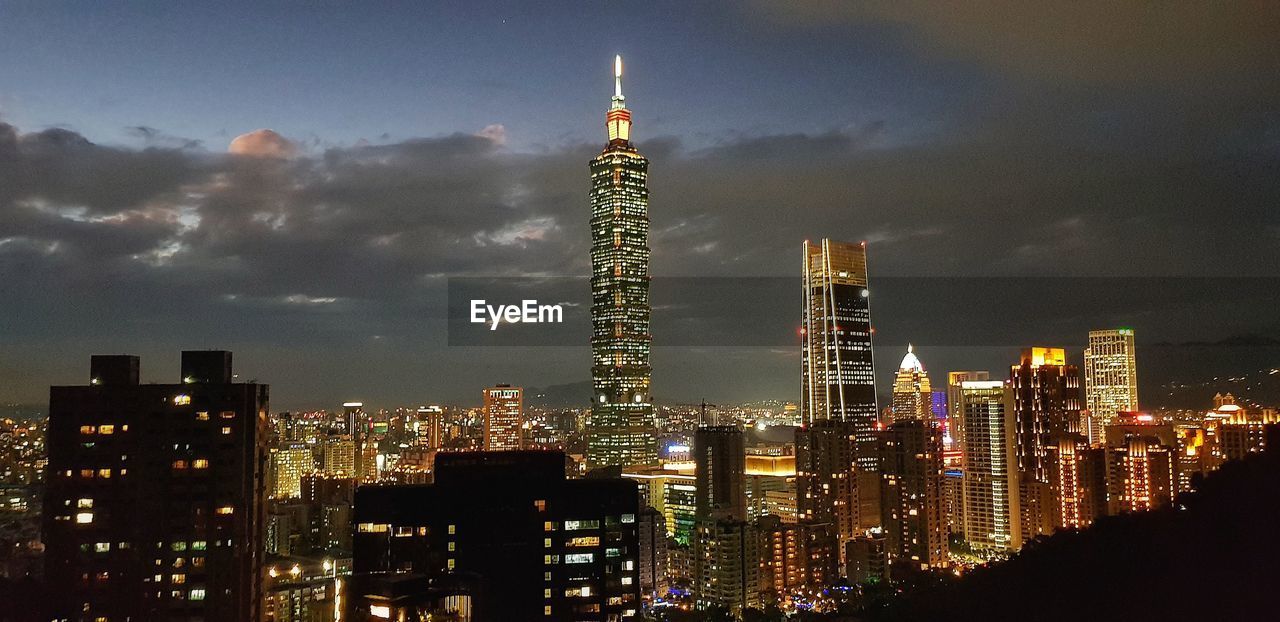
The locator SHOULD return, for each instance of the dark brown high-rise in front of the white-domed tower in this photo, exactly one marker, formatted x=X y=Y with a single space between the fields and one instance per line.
x=913 y=497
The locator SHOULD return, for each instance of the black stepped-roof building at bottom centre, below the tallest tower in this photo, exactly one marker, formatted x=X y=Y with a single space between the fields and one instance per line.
x=499 y=537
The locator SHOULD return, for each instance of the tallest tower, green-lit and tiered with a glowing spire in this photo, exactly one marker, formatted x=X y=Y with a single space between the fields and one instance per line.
x=623 y=427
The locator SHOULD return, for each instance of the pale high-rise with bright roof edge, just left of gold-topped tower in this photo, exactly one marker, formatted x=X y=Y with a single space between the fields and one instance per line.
x=991 y=504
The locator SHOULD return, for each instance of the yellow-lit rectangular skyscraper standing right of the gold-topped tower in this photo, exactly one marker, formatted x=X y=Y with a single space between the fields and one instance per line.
x=1110 y=378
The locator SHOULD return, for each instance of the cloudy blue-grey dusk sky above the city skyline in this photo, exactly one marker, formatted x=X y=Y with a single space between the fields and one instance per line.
x=298 y=182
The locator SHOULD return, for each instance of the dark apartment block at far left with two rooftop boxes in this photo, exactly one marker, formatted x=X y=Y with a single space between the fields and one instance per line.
x=157 y=493
